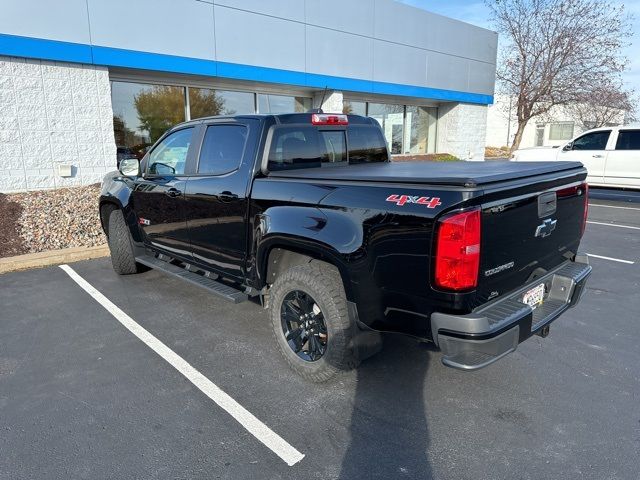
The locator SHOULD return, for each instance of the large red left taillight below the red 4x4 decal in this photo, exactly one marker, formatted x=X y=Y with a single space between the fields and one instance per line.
x=458 y=251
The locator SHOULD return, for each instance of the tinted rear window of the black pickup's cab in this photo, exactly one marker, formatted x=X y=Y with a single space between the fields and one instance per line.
x=302 y=146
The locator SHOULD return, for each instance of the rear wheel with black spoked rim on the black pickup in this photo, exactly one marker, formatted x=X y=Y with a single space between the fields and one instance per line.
x=310 y=321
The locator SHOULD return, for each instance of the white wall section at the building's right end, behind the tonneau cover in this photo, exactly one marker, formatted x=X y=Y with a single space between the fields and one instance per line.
x=462 y=130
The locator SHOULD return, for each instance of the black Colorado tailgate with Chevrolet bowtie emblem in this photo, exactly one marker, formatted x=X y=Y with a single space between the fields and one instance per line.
x=526 y=235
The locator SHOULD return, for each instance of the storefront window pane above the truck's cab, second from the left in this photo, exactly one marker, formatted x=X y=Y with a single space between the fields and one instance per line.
x=206 y=102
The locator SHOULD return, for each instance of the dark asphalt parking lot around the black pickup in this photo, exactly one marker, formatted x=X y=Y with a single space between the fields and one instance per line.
x=81 y=396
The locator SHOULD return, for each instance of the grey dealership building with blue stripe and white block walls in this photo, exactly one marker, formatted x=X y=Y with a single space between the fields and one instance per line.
x=85 y=82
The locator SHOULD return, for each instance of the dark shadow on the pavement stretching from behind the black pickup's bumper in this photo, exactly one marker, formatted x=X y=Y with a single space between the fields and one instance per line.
x=389 y=431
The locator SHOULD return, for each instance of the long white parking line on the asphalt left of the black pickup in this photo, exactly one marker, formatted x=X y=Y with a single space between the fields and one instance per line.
x=268 y=437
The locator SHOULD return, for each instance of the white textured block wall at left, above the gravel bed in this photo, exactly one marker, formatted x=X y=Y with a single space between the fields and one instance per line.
x=53 y=114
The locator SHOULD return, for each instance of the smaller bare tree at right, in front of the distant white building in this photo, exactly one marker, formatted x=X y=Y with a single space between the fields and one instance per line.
x=605 y=105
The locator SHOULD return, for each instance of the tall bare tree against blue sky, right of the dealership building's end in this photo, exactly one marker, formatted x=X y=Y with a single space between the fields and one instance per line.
x=554 y=52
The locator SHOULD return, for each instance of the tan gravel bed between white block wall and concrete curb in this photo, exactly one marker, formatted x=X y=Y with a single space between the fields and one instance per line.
x=54 y=219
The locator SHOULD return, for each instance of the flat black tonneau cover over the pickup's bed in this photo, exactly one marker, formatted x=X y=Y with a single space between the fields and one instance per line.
x=464 y=174
